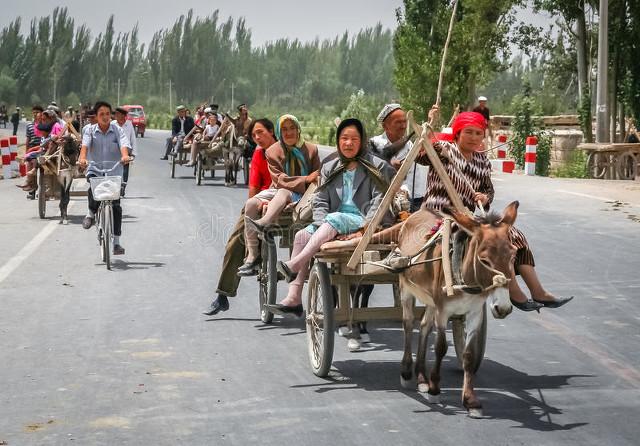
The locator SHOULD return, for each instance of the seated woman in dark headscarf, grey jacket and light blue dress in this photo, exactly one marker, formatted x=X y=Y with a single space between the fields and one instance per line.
x=353 y=183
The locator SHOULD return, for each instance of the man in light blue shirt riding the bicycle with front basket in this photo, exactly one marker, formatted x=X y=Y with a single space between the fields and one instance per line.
x=104 y=142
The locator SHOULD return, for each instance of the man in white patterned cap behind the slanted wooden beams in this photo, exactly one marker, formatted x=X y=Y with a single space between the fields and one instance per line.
x=393 y=145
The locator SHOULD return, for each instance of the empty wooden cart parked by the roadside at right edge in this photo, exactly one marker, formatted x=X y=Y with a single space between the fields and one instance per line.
x=612 y=161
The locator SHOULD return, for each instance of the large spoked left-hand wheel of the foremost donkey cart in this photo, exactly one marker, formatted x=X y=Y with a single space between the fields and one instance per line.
x=320 y=320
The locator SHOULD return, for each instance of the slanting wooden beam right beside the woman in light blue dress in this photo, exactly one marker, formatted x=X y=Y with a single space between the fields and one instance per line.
x=397 y=181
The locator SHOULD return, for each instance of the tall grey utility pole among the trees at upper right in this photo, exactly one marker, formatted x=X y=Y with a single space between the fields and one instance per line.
x=602 y=121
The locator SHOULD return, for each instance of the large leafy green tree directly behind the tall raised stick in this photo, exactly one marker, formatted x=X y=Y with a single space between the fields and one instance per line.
x=478 y=49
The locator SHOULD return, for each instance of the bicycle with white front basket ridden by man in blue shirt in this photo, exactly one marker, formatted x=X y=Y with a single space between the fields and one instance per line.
x=106 y=189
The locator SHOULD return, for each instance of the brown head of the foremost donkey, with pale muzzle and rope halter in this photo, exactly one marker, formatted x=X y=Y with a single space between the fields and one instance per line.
x=488 y=261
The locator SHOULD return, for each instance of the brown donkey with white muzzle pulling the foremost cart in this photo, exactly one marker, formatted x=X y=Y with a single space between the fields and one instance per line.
x=485 y=267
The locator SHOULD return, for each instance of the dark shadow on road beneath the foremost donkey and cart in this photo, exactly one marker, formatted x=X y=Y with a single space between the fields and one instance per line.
x=506 y=393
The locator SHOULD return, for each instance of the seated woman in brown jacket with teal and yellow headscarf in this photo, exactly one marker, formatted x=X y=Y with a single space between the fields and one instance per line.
x=293 y=165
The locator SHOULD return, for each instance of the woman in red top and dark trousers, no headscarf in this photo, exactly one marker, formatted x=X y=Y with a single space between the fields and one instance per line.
x=262 y=133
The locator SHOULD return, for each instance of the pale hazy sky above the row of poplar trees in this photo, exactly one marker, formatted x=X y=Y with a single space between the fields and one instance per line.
x=268 y=19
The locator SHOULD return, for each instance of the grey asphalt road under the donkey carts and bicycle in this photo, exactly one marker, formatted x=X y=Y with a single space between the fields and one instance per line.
x=93 y=357
